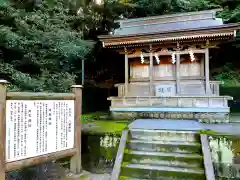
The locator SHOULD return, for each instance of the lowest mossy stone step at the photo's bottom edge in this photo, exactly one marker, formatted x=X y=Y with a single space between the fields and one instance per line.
x=154 y=172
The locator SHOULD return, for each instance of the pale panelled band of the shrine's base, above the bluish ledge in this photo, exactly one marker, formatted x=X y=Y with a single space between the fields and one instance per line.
x=173 y=102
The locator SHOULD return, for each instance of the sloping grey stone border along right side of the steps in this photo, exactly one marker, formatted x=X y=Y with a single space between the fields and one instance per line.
x=208 y=164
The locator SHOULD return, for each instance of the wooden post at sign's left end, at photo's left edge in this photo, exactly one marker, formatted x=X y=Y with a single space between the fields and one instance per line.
x=3 y=95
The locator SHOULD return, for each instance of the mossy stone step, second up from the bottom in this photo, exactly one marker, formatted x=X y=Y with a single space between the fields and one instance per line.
x=164 y=159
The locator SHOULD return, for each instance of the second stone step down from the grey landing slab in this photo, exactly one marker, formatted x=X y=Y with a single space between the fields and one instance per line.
x=164 y=146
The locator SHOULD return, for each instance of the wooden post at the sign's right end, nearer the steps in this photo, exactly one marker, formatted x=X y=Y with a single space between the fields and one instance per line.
x=75 y=164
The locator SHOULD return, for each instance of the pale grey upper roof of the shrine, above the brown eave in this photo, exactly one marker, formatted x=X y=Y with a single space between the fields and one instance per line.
x=159 y=24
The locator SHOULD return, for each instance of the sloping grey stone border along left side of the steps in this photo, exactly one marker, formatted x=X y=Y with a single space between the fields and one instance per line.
x=119 y=158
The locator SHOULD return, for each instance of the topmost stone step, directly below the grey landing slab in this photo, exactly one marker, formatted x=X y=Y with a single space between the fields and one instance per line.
x=167 y=135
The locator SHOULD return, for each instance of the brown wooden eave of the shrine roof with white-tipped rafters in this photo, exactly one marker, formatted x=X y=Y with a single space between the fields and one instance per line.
x=228 y=30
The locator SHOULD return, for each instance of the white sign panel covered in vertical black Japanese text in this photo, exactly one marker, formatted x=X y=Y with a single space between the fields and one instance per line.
x=37 y=127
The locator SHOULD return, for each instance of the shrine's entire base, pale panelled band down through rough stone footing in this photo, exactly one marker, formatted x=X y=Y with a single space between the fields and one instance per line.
x=208 y=109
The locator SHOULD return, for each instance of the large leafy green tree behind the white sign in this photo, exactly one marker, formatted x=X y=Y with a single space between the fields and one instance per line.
x=39 y=48
